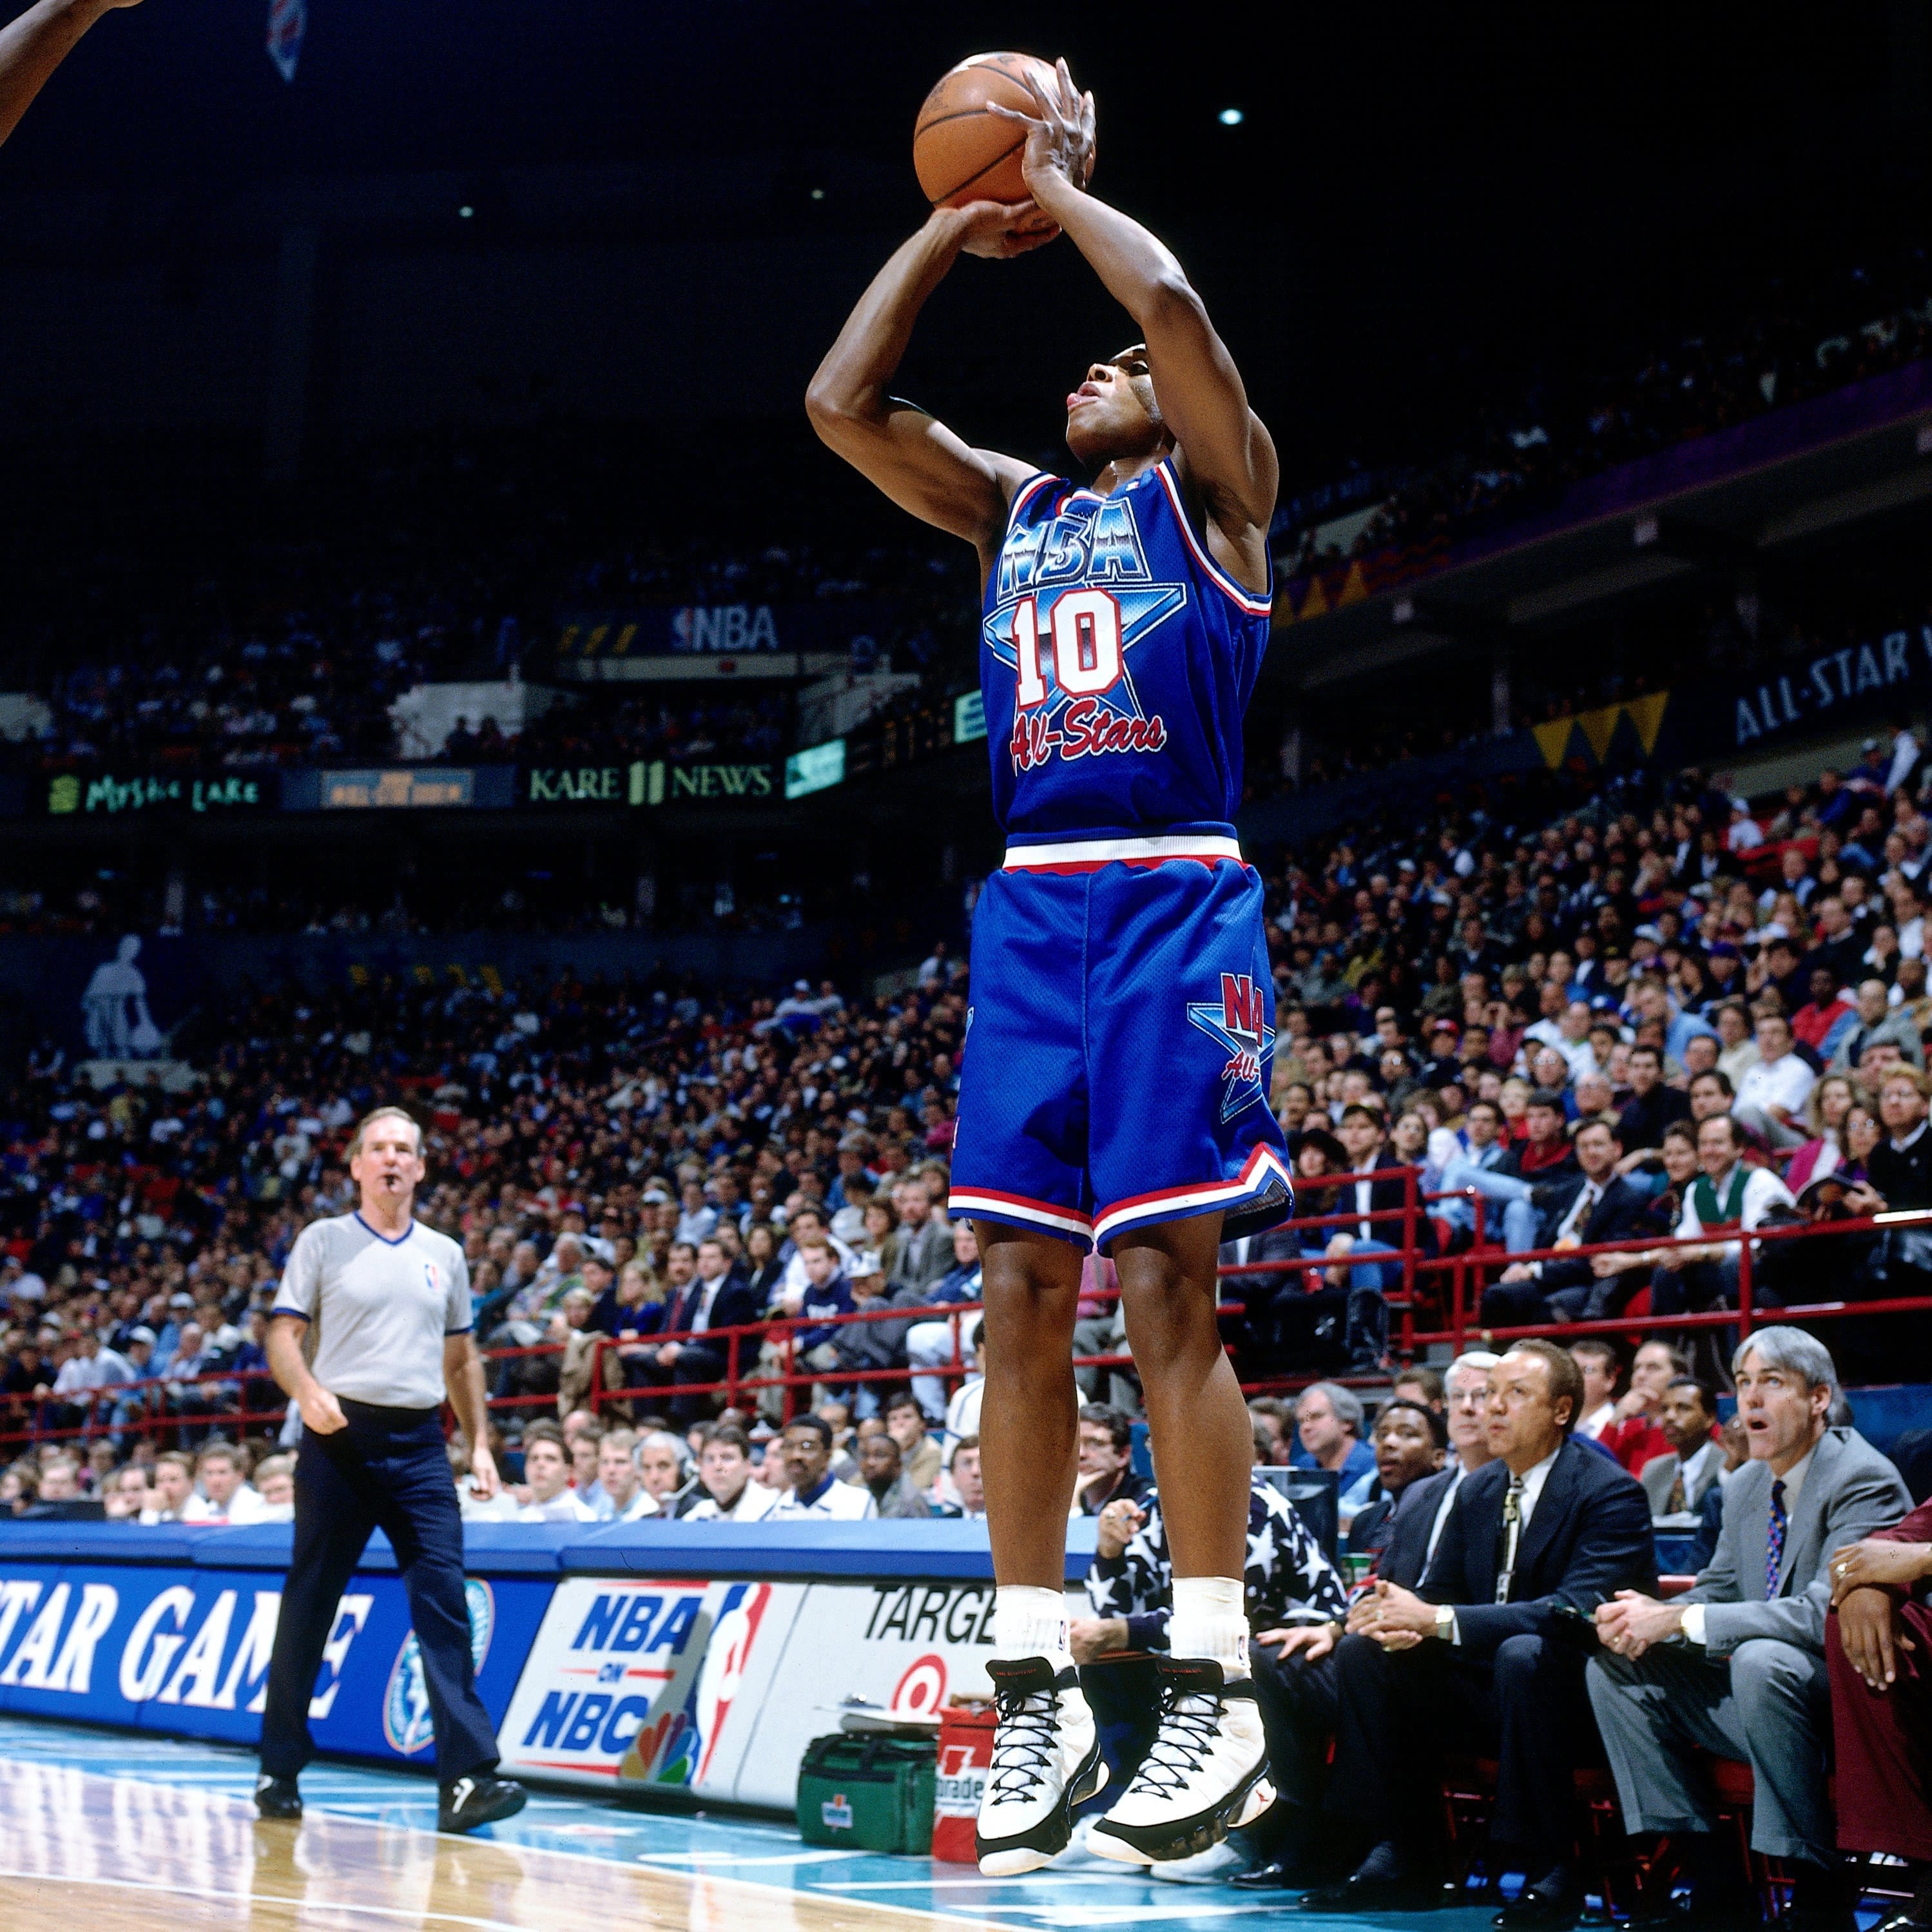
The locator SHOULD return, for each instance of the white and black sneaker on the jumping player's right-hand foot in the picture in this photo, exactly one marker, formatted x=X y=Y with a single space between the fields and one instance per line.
x=1203 y=1778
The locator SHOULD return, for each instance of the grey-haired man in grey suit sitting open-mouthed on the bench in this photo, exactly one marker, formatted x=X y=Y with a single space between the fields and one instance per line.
x=1736 y=1666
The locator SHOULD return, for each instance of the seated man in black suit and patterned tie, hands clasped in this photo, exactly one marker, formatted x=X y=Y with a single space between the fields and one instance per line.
x=1491 y=1653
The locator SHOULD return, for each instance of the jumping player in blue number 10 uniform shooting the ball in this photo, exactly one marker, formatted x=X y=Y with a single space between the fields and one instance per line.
x=1116 y=1073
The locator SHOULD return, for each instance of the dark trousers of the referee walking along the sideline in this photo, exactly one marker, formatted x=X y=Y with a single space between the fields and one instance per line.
x=385 y=1471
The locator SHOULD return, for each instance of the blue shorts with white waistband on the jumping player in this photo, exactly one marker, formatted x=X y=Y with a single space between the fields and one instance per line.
x=1118 y=1048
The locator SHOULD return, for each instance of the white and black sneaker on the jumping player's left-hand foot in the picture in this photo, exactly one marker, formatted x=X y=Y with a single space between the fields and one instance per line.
x=1046 y=1761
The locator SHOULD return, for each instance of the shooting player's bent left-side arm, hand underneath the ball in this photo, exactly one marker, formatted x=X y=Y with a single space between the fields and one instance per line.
x=913 y=457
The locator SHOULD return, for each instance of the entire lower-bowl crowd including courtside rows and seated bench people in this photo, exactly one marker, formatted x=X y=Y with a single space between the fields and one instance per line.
x=1666 y=1017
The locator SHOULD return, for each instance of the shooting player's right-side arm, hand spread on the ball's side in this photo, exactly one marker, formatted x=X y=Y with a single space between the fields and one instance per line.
x=1226 y=449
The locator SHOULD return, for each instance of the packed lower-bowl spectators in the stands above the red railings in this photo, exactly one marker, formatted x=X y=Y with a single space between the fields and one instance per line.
x=1653 y=1019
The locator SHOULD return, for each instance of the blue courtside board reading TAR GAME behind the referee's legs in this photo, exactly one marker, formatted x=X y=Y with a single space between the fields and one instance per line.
x=186 y=1653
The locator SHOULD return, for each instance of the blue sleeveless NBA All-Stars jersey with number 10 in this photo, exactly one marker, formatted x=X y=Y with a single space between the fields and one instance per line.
x=1116 y=662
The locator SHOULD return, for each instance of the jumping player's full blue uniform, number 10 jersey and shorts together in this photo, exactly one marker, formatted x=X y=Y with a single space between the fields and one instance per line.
x=1118 y=1054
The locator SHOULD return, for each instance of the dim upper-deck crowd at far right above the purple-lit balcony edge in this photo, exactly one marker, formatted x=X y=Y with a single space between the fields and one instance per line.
x=1802 y=341
